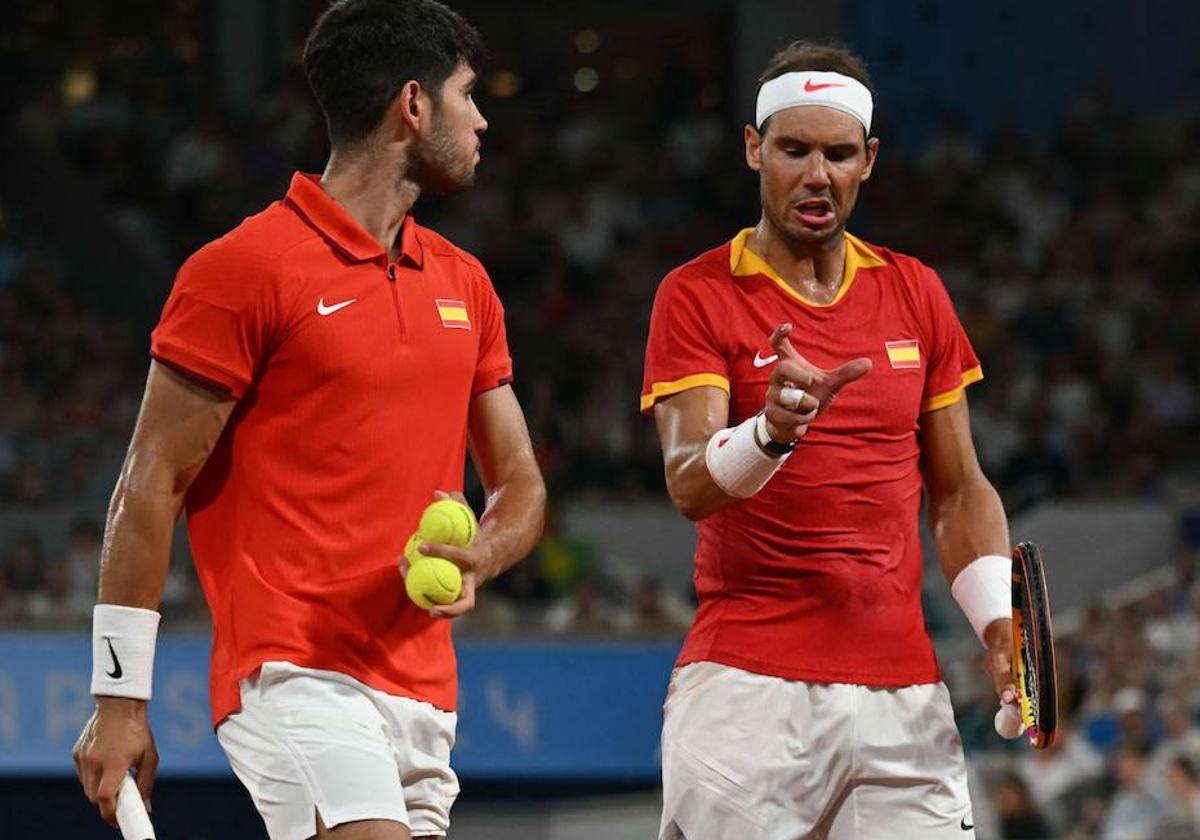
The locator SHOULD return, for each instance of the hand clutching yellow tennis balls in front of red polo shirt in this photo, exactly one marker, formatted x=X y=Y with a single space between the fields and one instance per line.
x=442 y=562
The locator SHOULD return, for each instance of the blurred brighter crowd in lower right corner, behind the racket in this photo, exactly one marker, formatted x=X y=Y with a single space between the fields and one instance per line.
x=1126 y=765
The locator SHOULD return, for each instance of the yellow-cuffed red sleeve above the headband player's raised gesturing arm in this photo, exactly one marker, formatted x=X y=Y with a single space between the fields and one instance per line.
x=685 y=350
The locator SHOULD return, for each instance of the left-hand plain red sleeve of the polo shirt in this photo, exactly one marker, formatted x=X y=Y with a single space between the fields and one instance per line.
x=218 y=322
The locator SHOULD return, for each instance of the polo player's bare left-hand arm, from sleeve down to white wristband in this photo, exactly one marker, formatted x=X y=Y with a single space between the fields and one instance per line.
x=178 y=427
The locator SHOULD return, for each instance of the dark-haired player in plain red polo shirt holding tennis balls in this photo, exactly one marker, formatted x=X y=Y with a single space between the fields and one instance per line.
x=319 y=374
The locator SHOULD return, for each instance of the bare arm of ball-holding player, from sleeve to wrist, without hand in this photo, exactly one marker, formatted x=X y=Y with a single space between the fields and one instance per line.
x=517 y=495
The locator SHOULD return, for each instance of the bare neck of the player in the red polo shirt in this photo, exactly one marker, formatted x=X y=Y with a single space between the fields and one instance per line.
x=369 y=189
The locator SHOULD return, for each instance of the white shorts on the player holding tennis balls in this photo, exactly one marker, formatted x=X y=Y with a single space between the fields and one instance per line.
x=309 y=742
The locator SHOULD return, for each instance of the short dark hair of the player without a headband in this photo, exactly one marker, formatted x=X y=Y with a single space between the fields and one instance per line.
x=361 y=53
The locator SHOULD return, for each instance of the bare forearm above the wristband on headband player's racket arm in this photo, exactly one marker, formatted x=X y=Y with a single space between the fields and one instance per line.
x=968 y=524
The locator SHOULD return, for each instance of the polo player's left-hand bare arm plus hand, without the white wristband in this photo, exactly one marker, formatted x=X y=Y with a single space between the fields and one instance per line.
x=178 y=427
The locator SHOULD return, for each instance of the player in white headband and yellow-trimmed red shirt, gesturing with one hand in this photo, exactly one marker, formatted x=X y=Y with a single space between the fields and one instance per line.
x=807 y=387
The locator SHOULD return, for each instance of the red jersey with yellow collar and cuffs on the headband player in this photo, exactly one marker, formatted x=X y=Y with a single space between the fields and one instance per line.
x=818 y=577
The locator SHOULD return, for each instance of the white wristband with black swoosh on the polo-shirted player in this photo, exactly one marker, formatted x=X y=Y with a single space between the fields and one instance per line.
x=123 y=641
